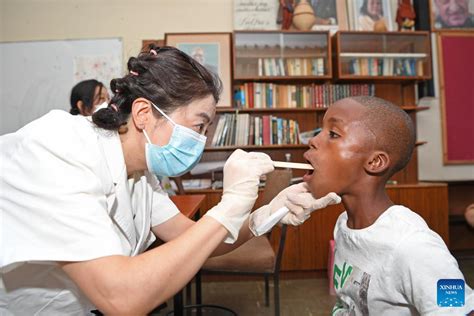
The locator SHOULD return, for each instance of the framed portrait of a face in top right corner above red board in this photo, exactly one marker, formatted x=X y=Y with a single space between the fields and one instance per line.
x=452 y=15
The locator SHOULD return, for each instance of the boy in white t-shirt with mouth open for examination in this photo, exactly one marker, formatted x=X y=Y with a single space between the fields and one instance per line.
x=387 y=260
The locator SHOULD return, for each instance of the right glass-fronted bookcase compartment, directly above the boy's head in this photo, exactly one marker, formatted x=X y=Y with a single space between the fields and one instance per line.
x=391 y=56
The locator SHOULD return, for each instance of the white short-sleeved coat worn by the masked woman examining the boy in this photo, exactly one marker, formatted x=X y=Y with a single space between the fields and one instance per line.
x=65 y=196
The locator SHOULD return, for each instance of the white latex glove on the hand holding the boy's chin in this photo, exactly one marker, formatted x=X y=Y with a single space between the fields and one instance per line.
x=298 y=200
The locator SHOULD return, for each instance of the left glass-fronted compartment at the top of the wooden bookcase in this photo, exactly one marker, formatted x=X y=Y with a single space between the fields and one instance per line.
x=277 y=55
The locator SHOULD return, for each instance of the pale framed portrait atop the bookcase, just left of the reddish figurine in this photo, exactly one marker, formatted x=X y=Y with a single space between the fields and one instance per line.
x=362 y=21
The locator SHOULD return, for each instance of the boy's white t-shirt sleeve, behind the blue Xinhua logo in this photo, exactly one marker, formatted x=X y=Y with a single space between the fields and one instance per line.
x=422 y=260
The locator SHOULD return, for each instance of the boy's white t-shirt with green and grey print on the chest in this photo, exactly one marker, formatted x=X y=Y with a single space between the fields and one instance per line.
x=392 y=267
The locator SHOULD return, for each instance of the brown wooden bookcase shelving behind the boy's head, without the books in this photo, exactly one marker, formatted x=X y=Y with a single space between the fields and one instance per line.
x=249 y=46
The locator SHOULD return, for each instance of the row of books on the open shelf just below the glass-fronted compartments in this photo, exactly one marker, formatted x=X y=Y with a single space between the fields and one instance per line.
x=269 y=95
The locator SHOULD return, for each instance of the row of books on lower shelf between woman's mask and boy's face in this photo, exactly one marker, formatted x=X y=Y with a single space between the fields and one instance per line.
x=243 y=130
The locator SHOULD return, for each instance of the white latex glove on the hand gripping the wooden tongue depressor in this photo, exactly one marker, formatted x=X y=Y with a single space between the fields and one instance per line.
x=242 y=173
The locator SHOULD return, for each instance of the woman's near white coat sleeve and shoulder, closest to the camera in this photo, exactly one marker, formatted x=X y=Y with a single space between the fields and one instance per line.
x=54 y=204
